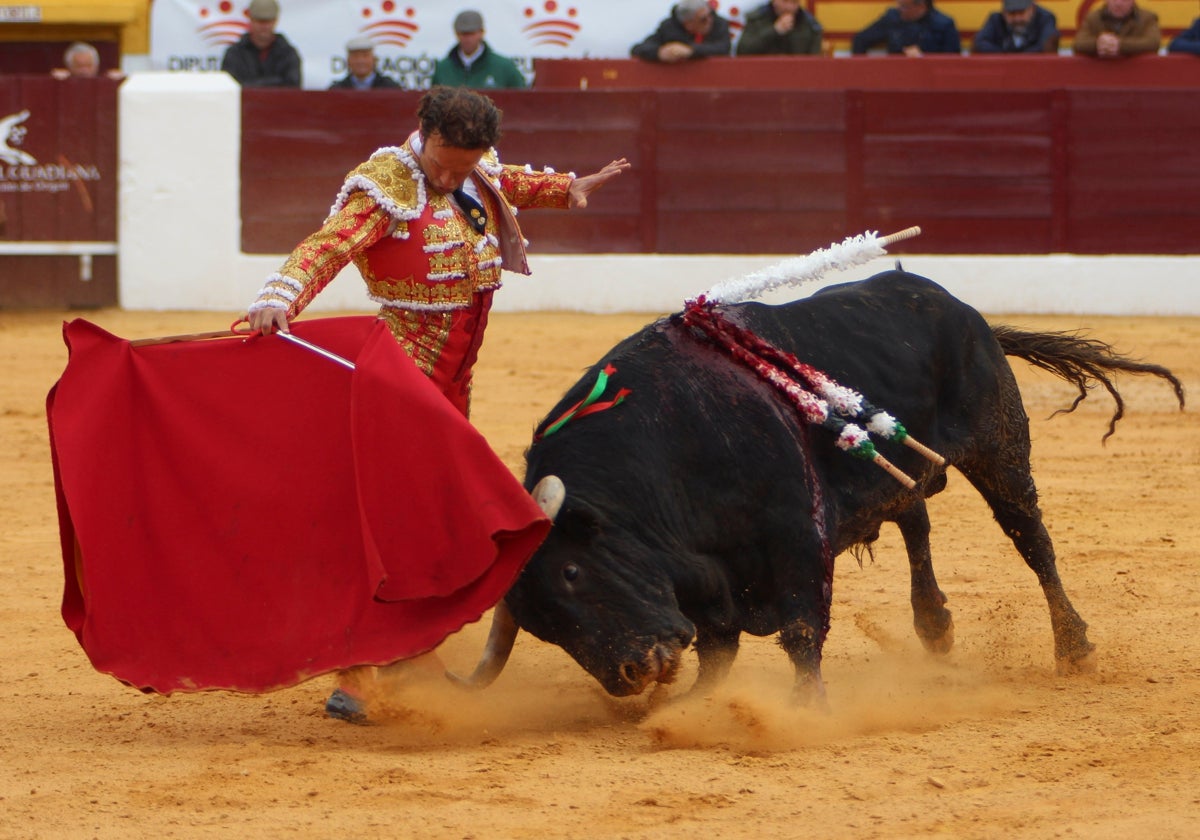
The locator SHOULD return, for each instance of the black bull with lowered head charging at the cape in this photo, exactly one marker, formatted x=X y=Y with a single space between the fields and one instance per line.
x=701 y=508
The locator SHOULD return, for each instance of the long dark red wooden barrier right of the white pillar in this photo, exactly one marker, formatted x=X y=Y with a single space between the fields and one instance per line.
x=1006 y=161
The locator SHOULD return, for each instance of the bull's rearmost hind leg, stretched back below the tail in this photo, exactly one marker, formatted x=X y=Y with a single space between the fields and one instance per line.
x=1013 y=499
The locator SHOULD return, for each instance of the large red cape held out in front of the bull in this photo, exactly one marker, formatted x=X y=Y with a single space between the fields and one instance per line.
x=245 y=514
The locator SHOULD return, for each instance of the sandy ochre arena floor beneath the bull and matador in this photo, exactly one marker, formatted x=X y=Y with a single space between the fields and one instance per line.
x=983 y=743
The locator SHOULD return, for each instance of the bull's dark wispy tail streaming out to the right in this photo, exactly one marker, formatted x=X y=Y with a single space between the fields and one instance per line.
x=1081 y=362
